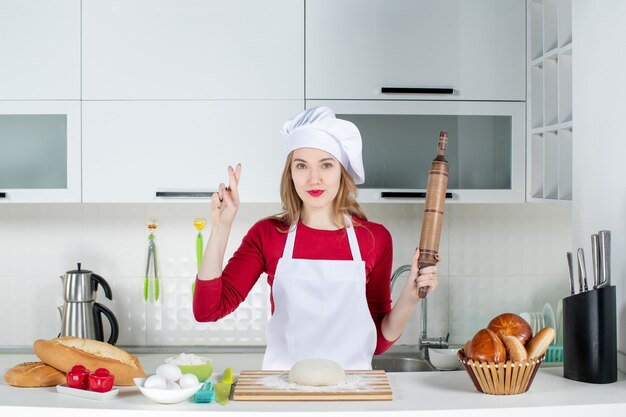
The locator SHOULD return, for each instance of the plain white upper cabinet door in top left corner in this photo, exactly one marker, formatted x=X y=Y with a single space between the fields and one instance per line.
x=39 y=49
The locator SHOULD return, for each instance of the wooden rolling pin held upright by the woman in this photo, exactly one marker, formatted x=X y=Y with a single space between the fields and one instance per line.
x=433 y=209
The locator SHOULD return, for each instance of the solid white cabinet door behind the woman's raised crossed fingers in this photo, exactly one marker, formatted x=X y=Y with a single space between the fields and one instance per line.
x=134 y=149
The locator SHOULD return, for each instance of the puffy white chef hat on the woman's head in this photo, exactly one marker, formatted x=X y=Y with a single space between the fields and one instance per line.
x=319 y=128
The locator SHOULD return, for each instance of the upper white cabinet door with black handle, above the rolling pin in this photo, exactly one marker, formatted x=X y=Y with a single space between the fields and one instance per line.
x=477 y=48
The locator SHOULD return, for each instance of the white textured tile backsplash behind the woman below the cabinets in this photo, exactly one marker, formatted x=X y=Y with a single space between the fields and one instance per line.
x=496 y=258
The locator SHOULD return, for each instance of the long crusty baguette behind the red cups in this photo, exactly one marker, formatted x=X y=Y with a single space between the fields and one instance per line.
x=65 y=352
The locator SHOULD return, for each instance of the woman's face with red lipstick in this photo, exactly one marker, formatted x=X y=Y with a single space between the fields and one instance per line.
x=316 y=176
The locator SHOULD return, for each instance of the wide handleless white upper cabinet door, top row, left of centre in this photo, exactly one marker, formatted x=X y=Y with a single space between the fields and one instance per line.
x=197 y=49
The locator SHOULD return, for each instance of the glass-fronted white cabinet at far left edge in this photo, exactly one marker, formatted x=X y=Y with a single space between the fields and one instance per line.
x=40 y=151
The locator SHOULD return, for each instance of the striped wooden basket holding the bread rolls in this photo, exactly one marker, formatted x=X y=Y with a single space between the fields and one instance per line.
x=501 y=378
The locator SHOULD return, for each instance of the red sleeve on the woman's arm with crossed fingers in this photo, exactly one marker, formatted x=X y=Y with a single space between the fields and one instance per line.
x=216 y=298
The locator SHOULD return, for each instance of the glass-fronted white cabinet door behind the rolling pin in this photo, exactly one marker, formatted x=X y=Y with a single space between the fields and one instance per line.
x=485 y=148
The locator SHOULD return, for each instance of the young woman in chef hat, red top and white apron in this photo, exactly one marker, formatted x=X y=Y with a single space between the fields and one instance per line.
x=328 y=267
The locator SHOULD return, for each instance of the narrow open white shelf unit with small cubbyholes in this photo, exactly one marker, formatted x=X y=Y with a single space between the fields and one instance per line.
x=550 y=124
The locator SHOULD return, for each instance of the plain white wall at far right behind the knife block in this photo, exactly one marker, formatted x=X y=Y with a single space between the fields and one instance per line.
x=599 y=149
